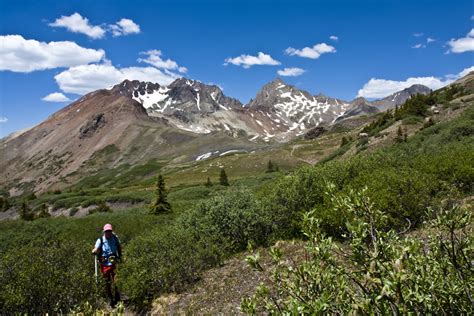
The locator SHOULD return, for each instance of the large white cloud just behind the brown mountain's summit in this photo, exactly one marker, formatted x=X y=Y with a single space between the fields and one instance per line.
x=86 y=78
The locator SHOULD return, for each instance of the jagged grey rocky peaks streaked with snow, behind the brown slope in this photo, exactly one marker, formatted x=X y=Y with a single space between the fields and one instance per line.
x=279 y=111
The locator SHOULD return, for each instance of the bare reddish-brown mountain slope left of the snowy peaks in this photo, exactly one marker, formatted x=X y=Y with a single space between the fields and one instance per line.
x=102 y=130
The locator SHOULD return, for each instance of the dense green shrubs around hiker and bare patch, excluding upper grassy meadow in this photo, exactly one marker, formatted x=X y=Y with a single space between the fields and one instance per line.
x=45 y=264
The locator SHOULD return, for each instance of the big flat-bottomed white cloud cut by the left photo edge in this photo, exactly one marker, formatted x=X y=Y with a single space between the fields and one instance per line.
x=21 y=55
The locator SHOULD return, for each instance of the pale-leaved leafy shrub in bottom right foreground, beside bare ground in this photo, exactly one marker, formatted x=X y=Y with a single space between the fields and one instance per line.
x=376 y=271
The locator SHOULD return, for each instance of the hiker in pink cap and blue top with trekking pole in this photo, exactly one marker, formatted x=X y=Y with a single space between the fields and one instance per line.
x=108 y=251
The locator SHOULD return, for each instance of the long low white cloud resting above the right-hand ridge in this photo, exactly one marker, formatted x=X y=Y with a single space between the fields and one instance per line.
x=380 y=88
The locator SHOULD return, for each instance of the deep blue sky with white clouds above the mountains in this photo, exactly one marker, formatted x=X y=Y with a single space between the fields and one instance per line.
x=52 y=52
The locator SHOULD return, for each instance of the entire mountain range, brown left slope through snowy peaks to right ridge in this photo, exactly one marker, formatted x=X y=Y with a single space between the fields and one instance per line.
x=187 y=120
